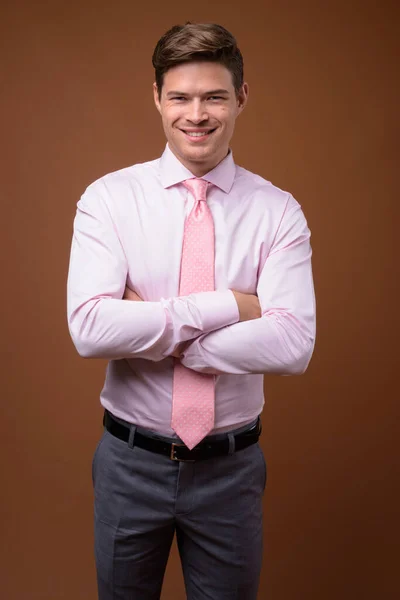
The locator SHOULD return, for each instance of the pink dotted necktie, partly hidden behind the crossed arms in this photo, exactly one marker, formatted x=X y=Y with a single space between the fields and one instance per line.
x=193 y=393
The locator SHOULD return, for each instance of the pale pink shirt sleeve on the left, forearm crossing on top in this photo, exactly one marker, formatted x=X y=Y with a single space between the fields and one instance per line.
x=101 y=324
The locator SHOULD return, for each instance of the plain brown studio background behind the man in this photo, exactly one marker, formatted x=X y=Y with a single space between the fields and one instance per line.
x=322 y=123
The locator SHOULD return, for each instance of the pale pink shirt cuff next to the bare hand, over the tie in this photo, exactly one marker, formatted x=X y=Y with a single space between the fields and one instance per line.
x=217 y=309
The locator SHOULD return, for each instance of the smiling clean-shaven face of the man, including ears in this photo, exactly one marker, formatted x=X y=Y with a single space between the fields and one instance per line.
x=199 y=107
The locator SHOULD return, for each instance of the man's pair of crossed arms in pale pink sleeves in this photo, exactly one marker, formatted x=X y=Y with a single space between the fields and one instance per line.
x=211 y=332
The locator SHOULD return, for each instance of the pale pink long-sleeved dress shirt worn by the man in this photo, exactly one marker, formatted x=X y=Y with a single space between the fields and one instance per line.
x=128 y=230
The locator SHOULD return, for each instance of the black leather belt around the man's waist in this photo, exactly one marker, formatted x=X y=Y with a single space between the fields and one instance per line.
x=208 y=448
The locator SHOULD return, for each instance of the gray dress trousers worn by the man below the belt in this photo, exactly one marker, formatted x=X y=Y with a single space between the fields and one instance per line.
x=213 y=506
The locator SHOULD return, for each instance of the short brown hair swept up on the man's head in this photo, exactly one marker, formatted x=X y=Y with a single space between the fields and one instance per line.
x=197 y=42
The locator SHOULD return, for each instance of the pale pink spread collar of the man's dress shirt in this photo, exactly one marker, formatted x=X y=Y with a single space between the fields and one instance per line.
x=172 y=171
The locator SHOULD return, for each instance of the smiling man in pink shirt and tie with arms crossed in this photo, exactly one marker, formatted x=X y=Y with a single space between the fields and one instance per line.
x=193 y=277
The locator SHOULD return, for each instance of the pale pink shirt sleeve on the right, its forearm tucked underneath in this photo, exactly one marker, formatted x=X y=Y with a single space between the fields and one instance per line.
x=282 y=340
